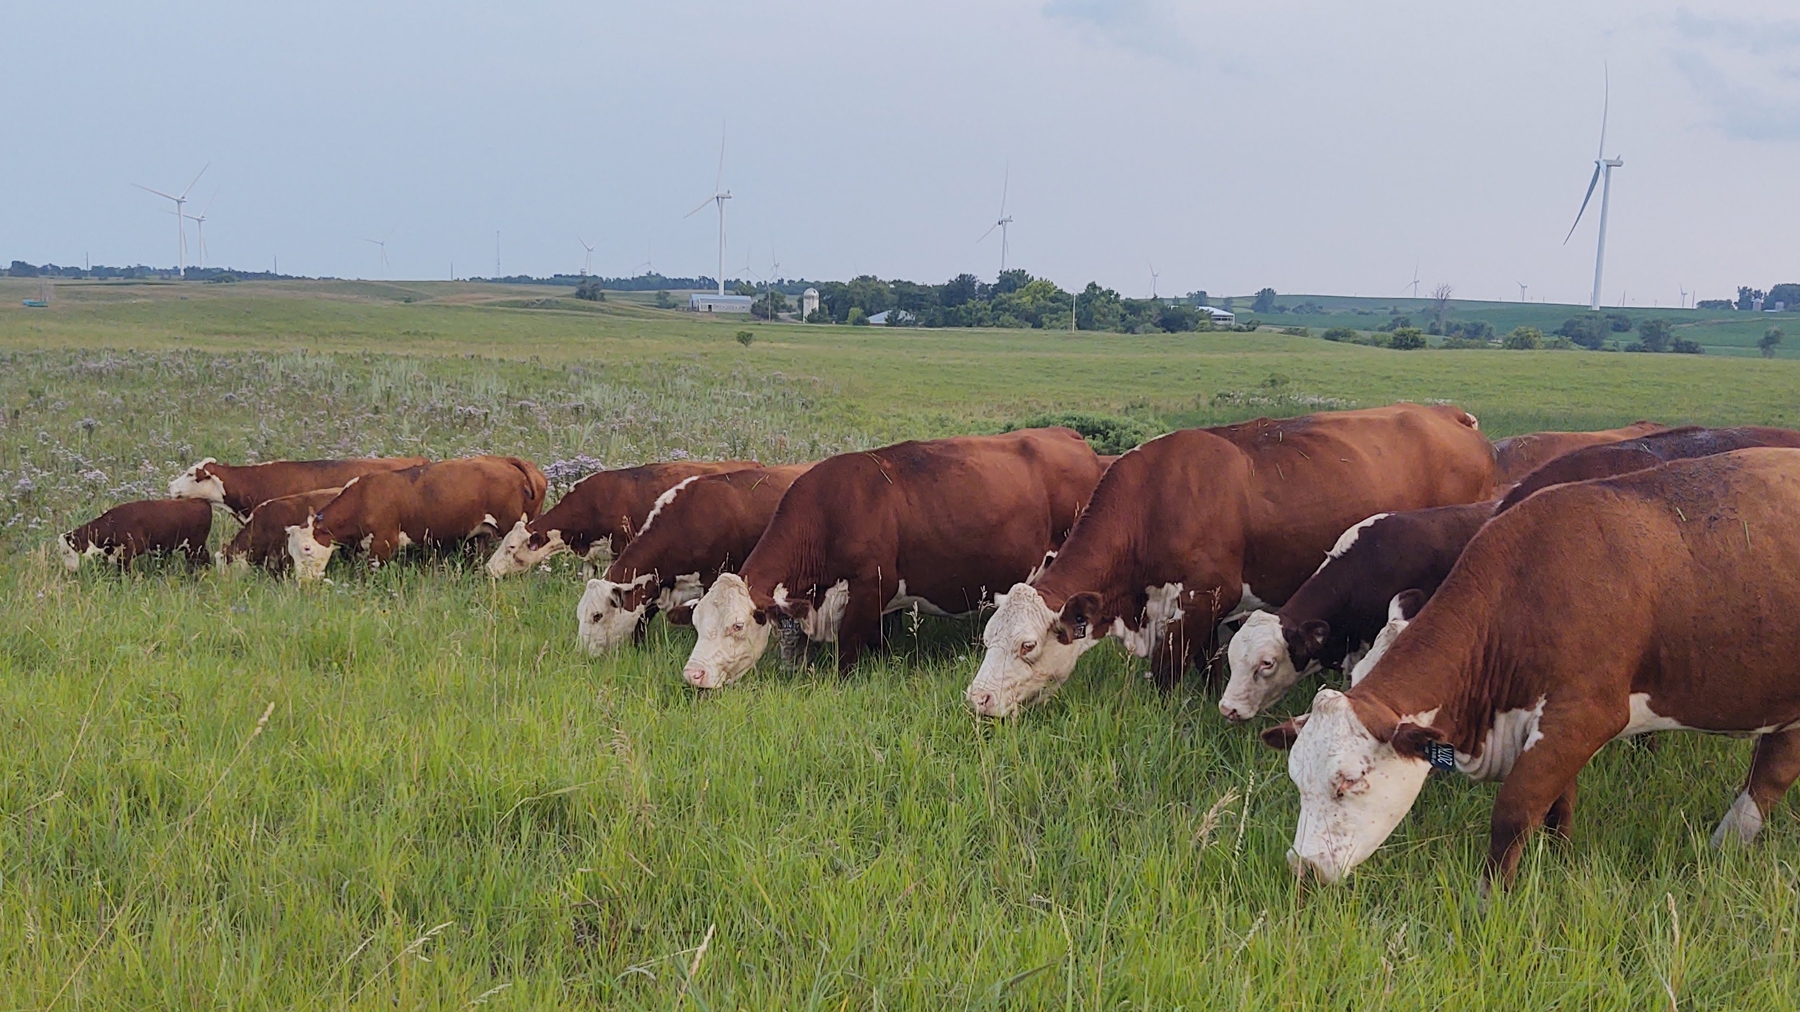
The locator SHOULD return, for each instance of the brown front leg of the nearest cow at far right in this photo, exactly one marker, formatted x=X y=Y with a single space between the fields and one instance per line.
x=1540 y=781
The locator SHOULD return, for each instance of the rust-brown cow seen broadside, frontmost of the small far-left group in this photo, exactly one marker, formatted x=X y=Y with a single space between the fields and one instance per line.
x=435 y=505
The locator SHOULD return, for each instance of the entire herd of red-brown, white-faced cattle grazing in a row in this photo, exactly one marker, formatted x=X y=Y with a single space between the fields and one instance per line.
x=1504 y=608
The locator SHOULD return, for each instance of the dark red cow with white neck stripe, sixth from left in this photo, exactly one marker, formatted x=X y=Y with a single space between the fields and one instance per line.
x=701 y=529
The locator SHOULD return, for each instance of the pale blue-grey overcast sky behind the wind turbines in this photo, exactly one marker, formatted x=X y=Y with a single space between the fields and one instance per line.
x=1311 y=147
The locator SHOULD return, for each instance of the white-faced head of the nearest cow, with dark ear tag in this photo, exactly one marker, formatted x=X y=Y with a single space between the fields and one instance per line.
x=1358 y=775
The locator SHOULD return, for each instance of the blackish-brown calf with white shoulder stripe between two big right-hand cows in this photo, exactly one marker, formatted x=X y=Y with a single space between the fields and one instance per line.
x=1342 y=608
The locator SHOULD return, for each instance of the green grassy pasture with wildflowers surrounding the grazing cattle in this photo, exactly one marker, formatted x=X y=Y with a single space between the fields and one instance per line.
x=451 y=806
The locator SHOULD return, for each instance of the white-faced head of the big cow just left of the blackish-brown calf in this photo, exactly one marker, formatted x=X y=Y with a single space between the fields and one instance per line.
x=1030 y=649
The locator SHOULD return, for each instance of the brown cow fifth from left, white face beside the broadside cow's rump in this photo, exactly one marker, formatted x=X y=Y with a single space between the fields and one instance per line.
x=598 y=516
